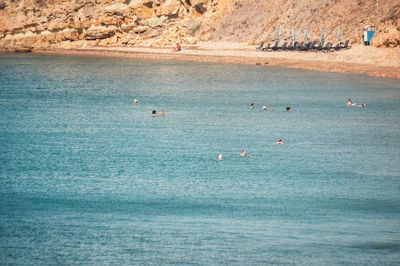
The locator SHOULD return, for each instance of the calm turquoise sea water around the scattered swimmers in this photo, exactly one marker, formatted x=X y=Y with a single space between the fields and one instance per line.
x=87 y=178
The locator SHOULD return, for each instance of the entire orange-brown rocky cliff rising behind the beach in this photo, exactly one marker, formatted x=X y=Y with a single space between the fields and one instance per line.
x=162 y=23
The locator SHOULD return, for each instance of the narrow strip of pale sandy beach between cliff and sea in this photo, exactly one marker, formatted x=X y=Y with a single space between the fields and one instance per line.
x=379 y=62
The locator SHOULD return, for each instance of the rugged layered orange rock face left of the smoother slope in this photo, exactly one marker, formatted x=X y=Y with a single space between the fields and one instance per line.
x=39 y=23
